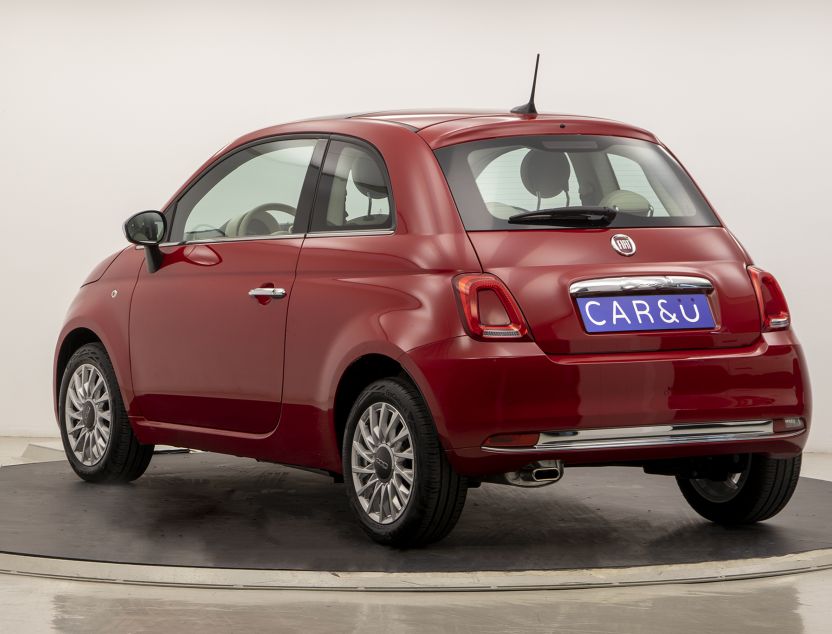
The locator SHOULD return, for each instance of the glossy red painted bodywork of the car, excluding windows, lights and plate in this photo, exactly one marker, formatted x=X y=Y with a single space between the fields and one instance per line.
x=201 y=364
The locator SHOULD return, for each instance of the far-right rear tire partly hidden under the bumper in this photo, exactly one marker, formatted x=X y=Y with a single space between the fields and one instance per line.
x=760 y=492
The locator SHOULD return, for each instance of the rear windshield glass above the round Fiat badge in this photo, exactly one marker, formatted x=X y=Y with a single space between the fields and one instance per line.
x=495 y=179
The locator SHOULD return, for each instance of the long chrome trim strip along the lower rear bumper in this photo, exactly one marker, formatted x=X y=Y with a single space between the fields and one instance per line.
x=649 y=436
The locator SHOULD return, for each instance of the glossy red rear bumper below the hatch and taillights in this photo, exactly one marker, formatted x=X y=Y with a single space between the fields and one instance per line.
x=620 y=405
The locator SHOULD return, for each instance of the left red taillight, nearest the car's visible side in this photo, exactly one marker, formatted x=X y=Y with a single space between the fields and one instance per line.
x=488 y=309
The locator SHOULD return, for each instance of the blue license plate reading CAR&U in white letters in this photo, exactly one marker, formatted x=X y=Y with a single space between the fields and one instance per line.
x=645 y=312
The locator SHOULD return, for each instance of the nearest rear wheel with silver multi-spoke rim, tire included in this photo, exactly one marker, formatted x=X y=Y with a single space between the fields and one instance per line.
x=426 y=511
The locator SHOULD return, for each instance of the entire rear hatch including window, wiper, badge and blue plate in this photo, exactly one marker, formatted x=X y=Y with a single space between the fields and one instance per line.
x=548 y=212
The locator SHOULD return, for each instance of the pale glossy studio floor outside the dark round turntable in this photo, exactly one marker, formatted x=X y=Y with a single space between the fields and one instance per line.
x=795 y=603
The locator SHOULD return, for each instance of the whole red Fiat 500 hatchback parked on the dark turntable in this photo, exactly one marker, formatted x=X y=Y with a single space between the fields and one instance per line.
x=419 y=302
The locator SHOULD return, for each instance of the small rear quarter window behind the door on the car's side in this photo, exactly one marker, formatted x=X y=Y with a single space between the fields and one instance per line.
x=353 y=194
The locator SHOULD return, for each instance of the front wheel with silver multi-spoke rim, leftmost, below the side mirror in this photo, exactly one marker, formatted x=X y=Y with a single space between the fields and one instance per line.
x=109 y=451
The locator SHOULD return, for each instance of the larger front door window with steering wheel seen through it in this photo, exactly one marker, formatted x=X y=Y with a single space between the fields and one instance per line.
x=254 y=192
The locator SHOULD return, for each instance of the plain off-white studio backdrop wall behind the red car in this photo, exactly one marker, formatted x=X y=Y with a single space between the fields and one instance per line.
x=106 y=107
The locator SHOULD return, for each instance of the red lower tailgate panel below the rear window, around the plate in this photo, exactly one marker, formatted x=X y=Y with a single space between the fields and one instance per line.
x=540 y=267
